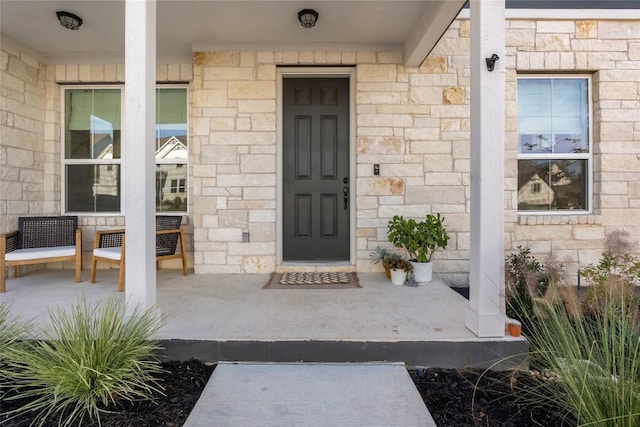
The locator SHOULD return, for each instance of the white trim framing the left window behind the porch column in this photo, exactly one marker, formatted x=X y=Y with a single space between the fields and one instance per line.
x=64 y=162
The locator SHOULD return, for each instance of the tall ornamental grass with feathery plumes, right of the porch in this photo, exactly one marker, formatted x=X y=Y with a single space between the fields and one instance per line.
x=589 y=345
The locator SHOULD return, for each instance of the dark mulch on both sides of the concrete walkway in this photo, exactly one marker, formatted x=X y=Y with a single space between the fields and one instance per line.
x=448 y=393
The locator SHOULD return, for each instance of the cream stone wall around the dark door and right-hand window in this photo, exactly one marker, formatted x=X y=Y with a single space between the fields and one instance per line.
x=414 y=122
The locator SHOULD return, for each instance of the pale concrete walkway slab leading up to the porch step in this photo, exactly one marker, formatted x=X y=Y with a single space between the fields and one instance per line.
x=307 y=395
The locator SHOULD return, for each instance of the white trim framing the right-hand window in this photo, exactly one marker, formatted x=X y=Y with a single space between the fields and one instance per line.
x=588 y=156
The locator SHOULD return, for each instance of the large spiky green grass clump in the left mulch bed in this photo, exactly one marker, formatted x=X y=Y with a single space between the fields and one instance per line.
x=92 y=358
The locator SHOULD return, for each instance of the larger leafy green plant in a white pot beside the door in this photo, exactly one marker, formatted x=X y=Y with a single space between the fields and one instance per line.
x=420 y=239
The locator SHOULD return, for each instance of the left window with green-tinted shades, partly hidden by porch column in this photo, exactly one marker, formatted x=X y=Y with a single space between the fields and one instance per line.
x=92 y=163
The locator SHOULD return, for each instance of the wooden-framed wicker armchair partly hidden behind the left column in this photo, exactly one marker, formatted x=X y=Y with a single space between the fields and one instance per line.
x=109 y=247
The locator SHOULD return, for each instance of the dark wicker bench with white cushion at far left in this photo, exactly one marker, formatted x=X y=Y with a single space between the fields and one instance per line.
x=38 y=240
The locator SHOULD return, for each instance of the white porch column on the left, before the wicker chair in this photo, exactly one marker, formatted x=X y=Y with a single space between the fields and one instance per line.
x=139 y=153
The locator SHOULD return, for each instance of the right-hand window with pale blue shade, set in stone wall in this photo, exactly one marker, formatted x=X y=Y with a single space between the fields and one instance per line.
x=554 y=144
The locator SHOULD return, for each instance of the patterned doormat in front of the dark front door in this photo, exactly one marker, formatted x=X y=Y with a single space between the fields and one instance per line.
x=313 y=280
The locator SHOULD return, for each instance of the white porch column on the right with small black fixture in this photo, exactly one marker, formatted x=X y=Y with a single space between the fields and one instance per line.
x=485 y=314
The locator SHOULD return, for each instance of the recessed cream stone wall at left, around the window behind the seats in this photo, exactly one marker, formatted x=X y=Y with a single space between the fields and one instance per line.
x=31 y=137
